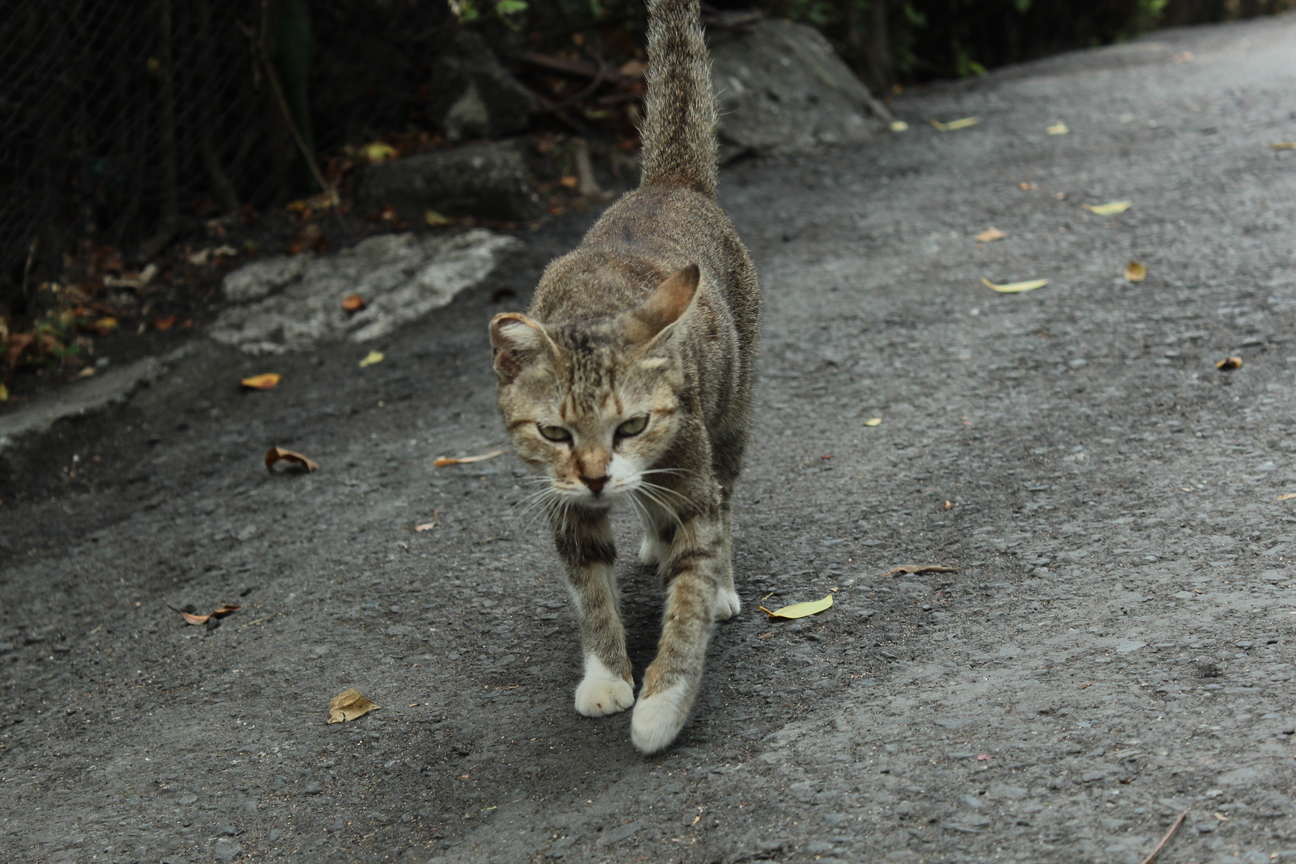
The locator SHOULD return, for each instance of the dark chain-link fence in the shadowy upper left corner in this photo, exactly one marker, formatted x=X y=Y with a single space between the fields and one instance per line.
x=128 y=122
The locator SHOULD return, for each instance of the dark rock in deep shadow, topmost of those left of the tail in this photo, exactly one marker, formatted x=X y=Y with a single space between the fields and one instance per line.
x=478 y=99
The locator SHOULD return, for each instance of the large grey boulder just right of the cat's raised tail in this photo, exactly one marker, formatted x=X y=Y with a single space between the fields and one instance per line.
x=782 y=90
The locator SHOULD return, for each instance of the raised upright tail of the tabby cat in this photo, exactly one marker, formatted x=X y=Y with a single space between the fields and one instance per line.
x=680 y=147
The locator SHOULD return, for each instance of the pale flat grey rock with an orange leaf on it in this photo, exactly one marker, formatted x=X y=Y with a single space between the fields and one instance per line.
x=401 y=278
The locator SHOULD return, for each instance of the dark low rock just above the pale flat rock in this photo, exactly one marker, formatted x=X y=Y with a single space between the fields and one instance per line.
x=485 y=181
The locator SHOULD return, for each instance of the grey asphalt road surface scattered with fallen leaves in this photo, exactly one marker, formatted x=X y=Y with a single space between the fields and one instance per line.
x=1115 y=650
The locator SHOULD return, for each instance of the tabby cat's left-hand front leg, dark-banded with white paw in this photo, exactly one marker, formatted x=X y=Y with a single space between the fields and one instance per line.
x=586 y=549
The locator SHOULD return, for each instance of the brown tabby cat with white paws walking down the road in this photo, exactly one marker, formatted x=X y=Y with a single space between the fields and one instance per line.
x=631 y=380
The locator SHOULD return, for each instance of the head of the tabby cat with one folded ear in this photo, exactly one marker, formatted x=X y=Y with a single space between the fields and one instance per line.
x=594 y=406
